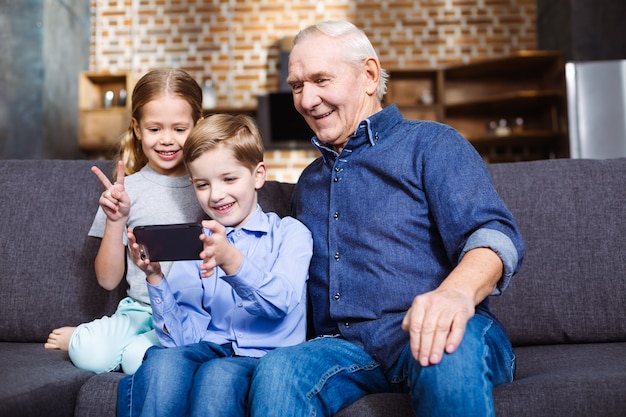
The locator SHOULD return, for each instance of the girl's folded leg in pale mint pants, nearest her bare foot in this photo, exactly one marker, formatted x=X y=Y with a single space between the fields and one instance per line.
x=98 y=346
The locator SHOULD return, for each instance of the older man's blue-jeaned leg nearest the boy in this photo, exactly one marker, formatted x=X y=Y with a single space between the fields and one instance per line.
x=315 y=378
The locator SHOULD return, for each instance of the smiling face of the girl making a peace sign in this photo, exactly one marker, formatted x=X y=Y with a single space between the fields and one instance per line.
x=162 y=129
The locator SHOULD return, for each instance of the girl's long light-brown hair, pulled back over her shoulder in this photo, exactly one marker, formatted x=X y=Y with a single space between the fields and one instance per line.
x=152 y=86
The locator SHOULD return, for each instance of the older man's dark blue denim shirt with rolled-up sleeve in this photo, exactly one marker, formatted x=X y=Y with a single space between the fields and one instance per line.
x=391 y=216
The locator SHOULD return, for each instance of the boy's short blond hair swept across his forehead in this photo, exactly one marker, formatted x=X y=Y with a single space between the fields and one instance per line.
x=239 y=133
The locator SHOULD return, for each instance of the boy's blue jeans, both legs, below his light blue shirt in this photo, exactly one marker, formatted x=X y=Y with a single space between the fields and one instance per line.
x=203 y=379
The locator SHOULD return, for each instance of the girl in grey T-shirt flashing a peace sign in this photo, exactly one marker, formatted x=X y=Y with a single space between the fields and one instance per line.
x=166 y=104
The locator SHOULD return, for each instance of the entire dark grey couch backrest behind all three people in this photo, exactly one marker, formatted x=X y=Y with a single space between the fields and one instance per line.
x=571 y=288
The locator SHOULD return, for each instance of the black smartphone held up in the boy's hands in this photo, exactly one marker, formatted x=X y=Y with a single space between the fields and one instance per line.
x=170 y=242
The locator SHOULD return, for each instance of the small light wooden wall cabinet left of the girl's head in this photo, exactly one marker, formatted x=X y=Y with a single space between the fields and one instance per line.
x=104 y=109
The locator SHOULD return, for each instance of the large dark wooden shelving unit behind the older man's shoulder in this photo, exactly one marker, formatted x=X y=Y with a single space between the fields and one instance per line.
x=511 y=108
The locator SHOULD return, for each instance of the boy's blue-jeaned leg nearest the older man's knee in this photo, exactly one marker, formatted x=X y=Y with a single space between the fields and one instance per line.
x=220 y=387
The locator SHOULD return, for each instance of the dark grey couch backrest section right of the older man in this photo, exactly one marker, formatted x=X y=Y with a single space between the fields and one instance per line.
x=572 y=284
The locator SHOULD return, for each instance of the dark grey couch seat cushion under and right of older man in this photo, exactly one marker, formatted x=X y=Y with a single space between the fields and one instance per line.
x=558 y=380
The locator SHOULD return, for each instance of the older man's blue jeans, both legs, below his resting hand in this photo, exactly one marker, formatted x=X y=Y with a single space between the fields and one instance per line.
x=324 y=375
